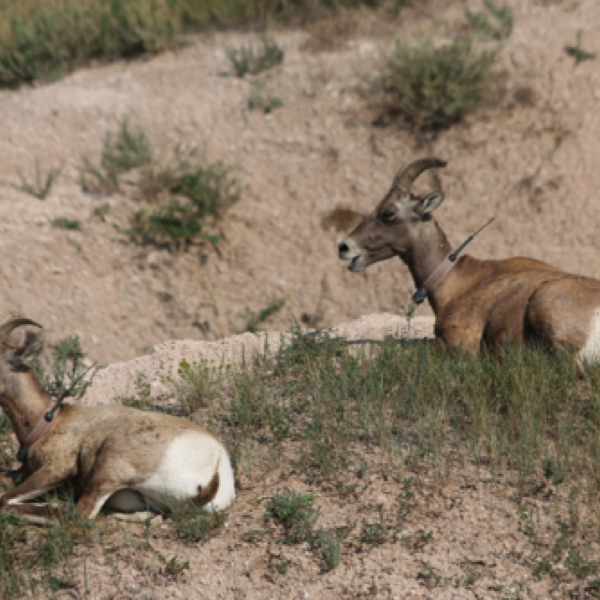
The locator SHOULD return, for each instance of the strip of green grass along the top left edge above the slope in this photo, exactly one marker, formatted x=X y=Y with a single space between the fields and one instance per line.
x=42 y=40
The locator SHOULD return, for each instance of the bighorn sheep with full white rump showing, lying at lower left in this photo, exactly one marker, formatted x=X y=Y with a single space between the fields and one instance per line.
x=114 y=456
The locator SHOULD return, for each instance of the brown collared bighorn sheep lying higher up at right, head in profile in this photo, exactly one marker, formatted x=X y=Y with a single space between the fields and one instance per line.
x=476 y=302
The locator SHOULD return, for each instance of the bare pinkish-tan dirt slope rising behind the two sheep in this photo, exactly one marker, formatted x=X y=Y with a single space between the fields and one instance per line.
x=532 y=162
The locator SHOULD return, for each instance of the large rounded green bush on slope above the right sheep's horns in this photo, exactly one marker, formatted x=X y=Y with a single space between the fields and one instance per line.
x=437 y=86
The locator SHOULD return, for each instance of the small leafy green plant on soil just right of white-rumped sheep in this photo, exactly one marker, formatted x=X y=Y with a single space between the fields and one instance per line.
x=296 y=513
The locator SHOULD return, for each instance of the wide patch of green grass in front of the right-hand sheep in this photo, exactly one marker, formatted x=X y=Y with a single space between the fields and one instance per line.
x=529 y=412
